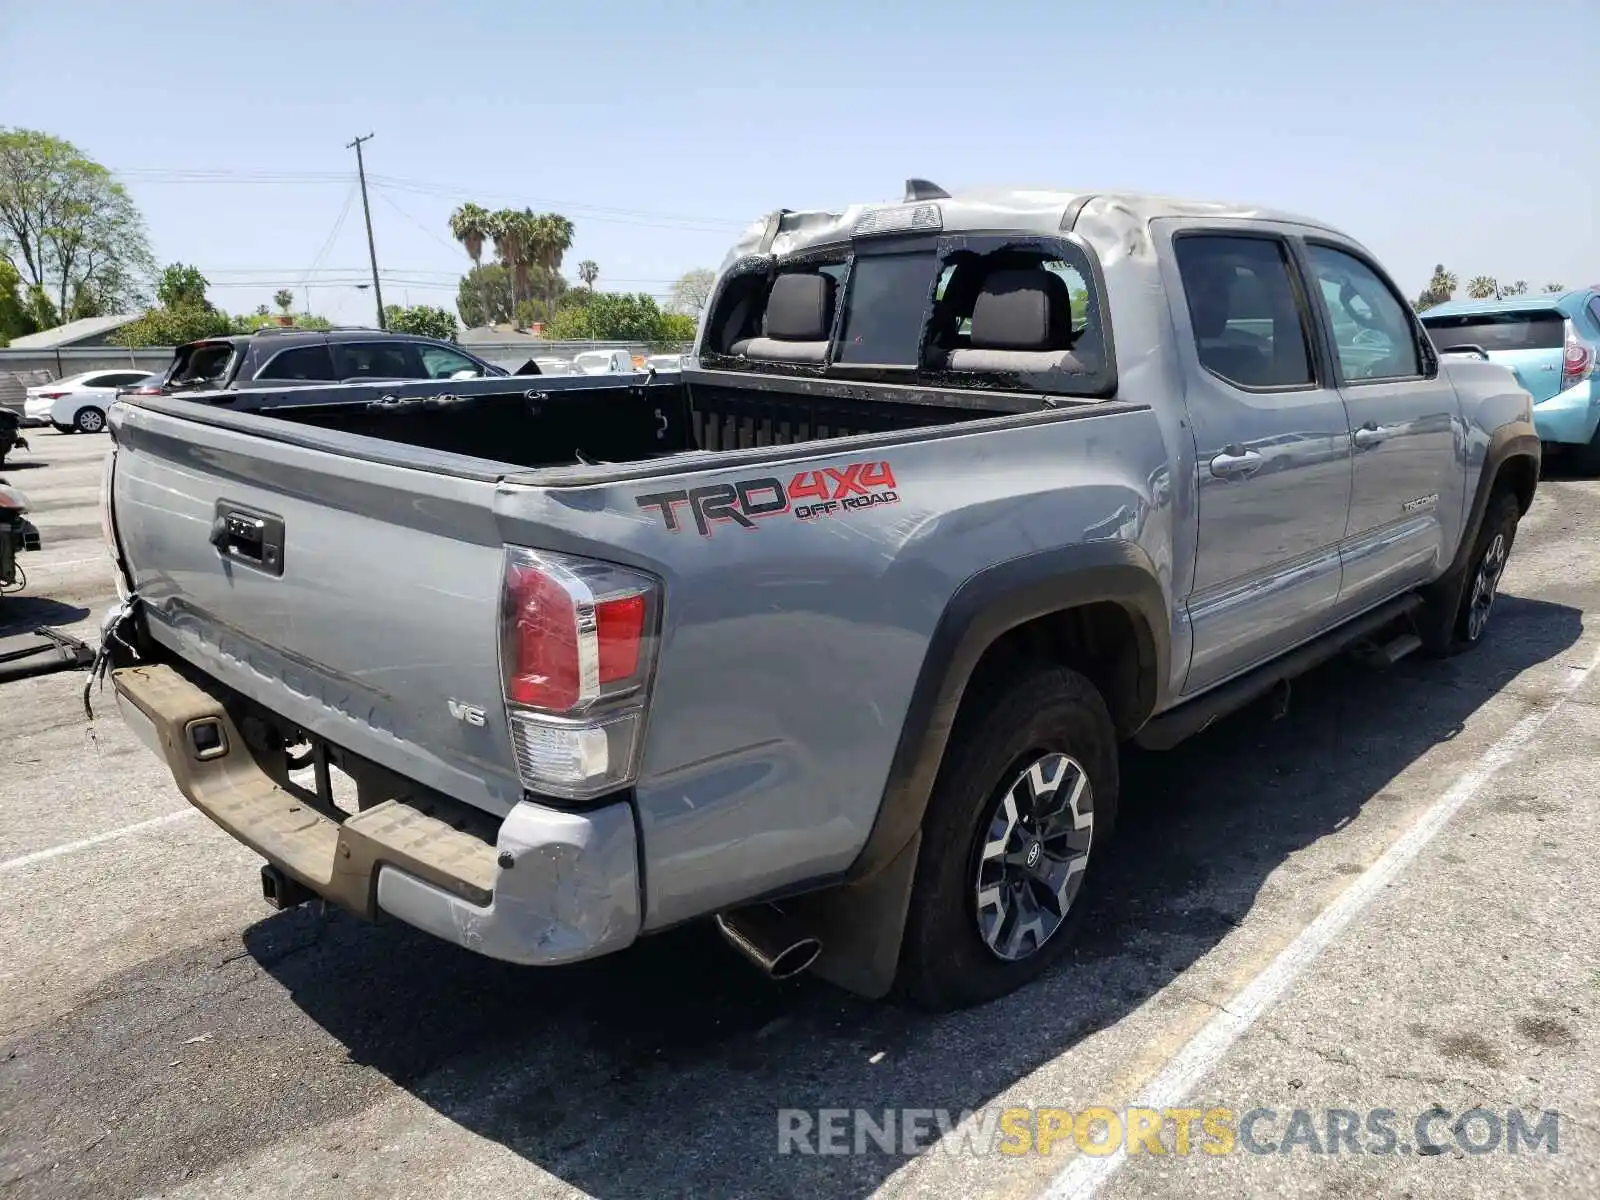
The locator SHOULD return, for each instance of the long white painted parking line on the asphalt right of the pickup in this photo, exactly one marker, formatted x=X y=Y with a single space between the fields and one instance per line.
x=1086 y=1175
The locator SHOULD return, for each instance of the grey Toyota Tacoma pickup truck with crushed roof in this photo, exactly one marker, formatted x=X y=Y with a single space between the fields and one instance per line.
x=834 y=634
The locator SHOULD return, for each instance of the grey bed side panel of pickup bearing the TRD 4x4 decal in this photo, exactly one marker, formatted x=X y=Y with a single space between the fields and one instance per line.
x=801 y=601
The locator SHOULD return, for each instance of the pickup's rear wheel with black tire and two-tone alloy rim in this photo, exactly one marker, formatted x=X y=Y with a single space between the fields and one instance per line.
x=1026 y=791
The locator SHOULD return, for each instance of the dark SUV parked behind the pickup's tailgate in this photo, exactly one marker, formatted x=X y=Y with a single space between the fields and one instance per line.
x=278 y=359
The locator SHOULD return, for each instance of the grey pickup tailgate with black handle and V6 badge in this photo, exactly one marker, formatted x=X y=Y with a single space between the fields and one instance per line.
x=356 y=598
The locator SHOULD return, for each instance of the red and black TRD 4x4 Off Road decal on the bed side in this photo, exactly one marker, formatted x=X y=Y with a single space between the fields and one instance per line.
x=831 y=492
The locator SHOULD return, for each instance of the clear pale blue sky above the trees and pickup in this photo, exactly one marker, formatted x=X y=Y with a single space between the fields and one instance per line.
x=1462 y=132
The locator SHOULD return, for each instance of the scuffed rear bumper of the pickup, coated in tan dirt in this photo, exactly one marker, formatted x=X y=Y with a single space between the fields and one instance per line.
x=556 y=887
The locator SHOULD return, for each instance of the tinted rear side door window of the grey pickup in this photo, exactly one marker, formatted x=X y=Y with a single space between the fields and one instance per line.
x=1249 y=324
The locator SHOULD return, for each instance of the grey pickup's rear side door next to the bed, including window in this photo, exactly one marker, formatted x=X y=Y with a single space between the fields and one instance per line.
x=1273 y=447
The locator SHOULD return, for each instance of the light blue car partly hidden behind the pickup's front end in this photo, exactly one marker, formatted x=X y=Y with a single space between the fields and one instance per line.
x=1551 y=343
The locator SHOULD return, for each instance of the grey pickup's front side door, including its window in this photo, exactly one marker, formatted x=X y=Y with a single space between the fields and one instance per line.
x=1406 y=500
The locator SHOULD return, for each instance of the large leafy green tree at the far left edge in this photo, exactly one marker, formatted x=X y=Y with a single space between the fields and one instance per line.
x=66 y=223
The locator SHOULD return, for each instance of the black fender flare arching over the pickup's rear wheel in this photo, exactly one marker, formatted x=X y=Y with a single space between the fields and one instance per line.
x=986 y=607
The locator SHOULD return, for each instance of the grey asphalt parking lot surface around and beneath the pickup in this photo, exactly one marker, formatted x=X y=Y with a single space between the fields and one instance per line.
x=1380 y=898
